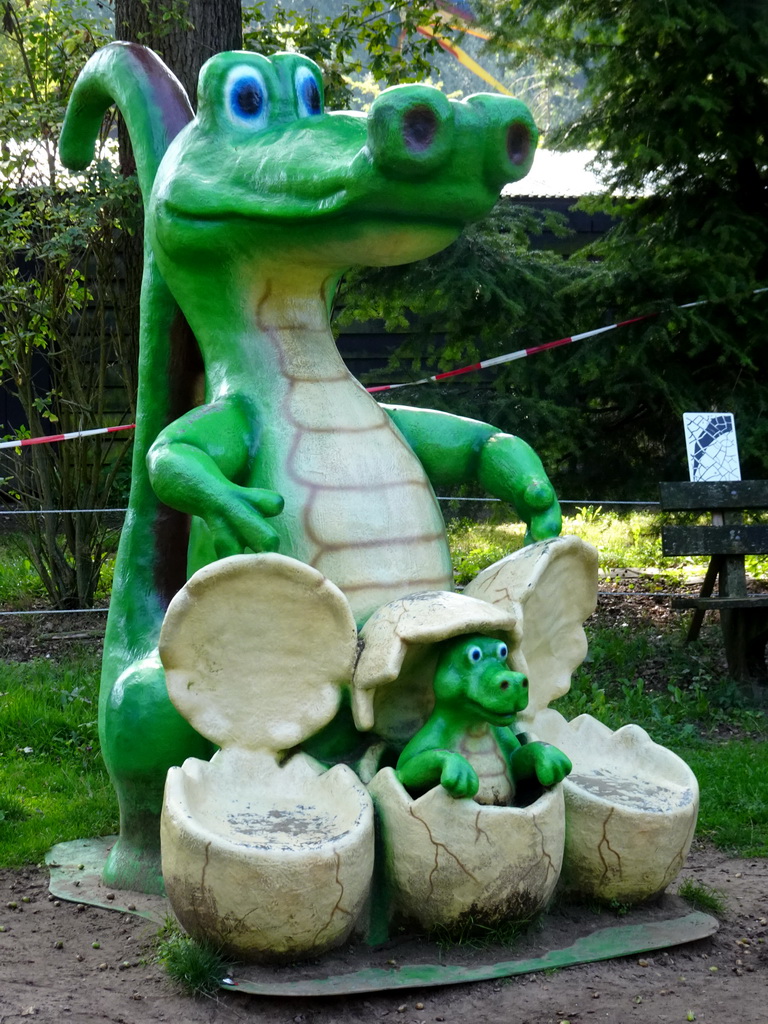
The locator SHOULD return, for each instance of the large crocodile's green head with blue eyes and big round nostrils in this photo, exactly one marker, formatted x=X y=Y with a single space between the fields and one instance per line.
x=265 y=165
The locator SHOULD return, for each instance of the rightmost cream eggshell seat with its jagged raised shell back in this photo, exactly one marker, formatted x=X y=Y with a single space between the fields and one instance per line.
x=631 y=805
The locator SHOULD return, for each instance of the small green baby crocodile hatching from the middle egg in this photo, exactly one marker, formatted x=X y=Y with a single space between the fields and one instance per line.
x=468 y=744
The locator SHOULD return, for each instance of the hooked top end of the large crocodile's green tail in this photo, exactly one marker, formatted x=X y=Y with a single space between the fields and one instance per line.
x=150 y=97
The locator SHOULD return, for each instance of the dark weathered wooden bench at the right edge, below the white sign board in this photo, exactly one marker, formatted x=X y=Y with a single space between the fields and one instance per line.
x=744 y=616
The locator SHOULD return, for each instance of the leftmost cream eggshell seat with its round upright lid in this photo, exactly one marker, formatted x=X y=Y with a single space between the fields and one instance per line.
x=269 y=859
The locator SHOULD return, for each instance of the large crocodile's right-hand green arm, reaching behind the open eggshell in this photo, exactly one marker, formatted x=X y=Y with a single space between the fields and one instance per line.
x=455 y=451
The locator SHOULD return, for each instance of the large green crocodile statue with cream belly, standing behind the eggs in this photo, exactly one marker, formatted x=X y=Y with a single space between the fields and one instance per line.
x=251 y=434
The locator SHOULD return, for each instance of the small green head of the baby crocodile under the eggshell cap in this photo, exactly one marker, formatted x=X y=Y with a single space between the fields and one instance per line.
x=473 y=677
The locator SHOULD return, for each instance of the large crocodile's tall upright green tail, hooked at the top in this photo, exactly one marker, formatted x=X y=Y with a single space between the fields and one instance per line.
x=152 y=559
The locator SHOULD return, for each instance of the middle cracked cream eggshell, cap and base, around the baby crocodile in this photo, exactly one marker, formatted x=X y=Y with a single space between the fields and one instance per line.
x=449 y=860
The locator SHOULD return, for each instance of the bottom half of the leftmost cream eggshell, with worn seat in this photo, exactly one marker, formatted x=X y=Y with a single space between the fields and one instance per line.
x=268 y=863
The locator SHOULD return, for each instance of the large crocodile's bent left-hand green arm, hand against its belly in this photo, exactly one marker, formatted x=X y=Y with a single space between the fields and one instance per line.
x=194 y=465
